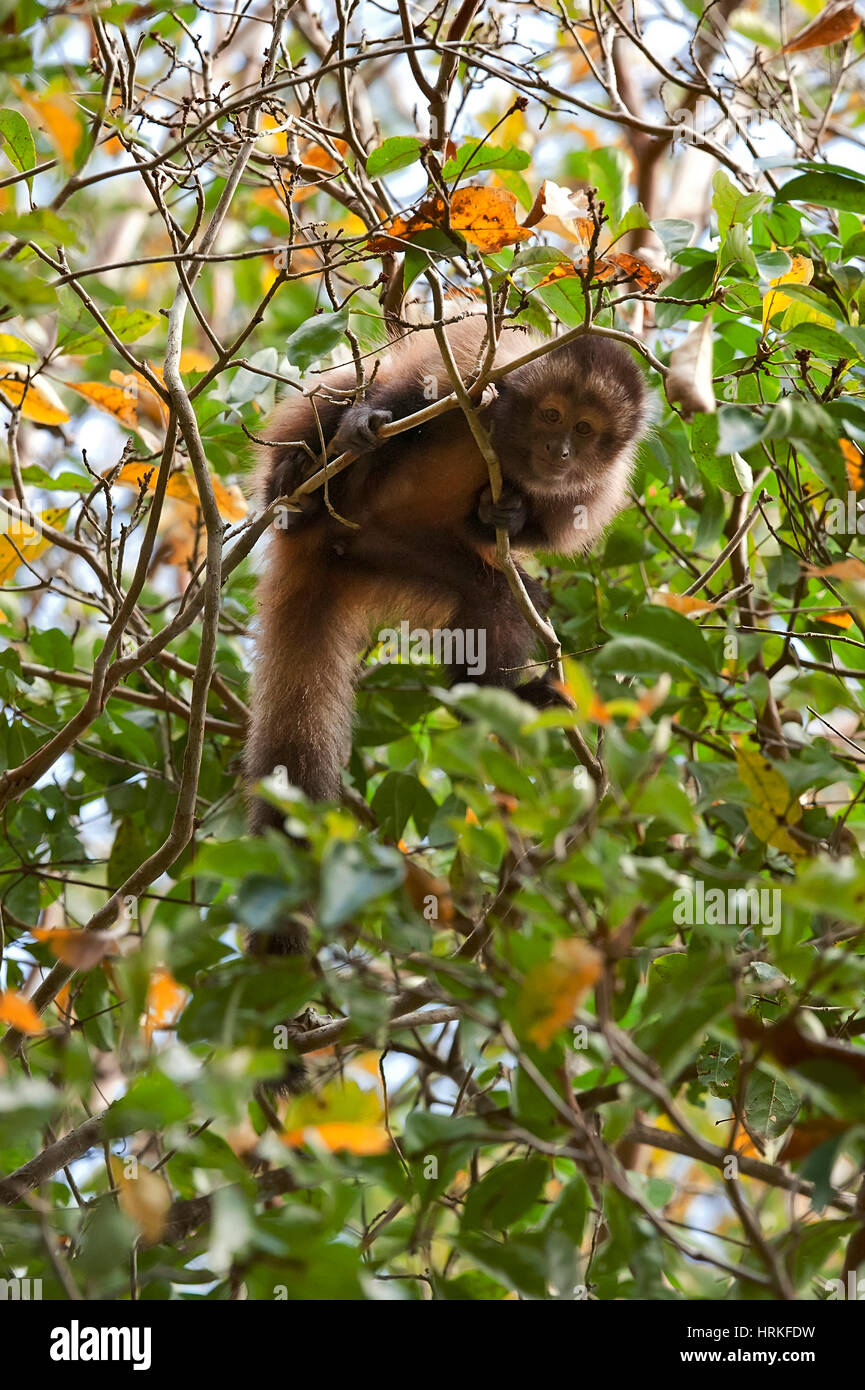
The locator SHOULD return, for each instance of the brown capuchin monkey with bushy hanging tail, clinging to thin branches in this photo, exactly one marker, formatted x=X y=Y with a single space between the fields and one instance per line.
x=408 y=530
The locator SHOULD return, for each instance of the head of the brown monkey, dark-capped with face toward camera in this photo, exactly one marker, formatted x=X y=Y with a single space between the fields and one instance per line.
x=561 y=422
